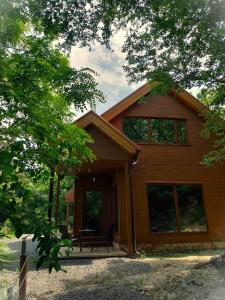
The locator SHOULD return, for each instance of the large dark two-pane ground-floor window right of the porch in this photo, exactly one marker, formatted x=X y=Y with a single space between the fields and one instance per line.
x=176 y=208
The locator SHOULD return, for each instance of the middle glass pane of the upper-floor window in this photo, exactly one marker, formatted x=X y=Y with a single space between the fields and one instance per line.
x=162 y=131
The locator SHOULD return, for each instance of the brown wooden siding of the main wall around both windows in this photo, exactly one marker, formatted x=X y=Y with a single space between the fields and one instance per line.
x=176 y=164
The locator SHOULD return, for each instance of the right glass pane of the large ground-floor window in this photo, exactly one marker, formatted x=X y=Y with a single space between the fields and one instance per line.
x=192 y=214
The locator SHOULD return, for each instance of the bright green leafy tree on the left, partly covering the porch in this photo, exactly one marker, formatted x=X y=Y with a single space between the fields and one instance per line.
x=37 y=90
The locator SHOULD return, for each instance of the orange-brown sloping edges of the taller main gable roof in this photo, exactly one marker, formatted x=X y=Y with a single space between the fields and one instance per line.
x=128 y=101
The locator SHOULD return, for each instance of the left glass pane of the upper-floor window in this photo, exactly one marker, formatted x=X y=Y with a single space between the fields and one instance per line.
x=136 y=129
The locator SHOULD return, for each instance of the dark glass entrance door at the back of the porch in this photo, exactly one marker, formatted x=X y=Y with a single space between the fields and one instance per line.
x=93 y=210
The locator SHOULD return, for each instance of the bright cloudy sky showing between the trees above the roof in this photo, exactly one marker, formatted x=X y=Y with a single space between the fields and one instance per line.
x=108 y=64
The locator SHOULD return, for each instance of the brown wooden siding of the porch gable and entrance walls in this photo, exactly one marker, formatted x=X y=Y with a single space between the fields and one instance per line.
x=109 y=173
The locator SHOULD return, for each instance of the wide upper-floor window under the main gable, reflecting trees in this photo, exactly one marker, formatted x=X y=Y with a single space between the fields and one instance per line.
x=156 y=131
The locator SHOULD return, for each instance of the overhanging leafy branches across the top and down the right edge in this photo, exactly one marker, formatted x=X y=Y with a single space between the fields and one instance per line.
x=175 y=42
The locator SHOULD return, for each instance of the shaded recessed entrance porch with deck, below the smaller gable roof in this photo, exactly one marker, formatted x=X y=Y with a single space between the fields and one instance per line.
x=100 y=206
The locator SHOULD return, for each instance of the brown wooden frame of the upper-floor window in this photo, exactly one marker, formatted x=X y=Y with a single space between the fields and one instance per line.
x=175 y=119
